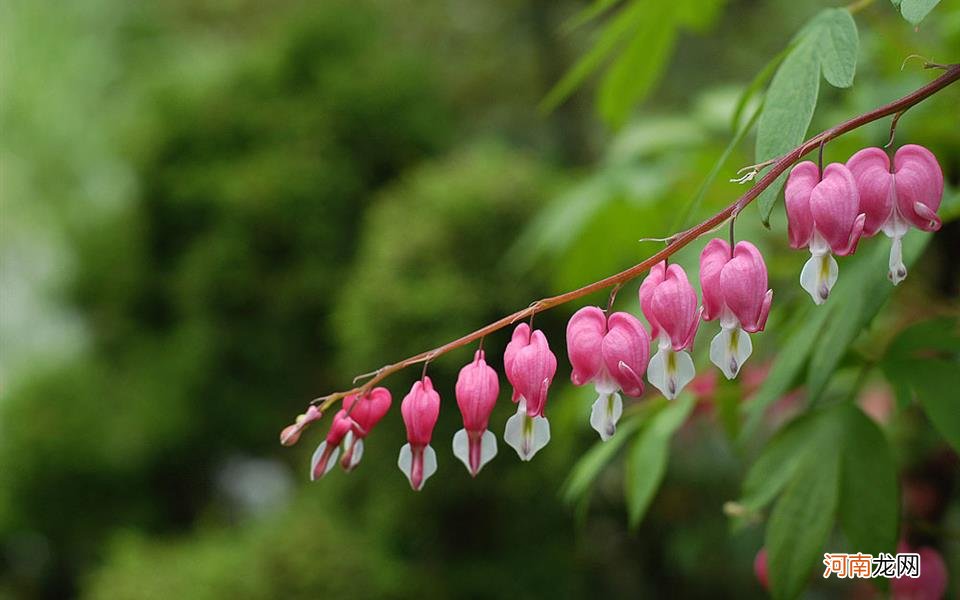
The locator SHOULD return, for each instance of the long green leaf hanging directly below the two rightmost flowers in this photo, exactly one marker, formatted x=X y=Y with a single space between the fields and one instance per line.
x=858 y=296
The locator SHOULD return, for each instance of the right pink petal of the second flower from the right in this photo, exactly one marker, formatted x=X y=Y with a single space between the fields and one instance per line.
x=835 y=204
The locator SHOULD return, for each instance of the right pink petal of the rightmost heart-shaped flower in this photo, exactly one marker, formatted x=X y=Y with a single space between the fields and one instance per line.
x=918 y=180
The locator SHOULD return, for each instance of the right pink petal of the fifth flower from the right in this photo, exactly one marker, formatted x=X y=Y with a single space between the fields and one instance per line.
x=626 y=350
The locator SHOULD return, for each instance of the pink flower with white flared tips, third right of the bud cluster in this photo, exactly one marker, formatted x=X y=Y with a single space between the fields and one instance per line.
x=530 y=367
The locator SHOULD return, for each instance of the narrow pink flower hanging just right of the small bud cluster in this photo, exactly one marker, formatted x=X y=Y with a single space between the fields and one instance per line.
x=420 y=409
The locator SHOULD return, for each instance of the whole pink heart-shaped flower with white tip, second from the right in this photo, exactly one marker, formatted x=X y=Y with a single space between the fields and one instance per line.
x=824 y=215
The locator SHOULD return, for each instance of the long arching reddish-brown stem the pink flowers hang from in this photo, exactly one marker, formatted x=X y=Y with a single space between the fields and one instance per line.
x=677 y=241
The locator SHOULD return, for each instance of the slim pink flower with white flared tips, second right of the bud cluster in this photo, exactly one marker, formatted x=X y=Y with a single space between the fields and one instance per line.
x=477 y=390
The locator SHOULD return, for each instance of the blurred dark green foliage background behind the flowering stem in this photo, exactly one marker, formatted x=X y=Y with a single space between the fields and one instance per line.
x=216 y=210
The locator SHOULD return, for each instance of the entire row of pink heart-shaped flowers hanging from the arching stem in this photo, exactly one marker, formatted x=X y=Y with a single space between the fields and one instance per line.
x=612 y=351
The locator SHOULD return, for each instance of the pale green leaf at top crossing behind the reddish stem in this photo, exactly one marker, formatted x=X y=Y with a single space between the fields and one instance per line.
x=788 y=109
